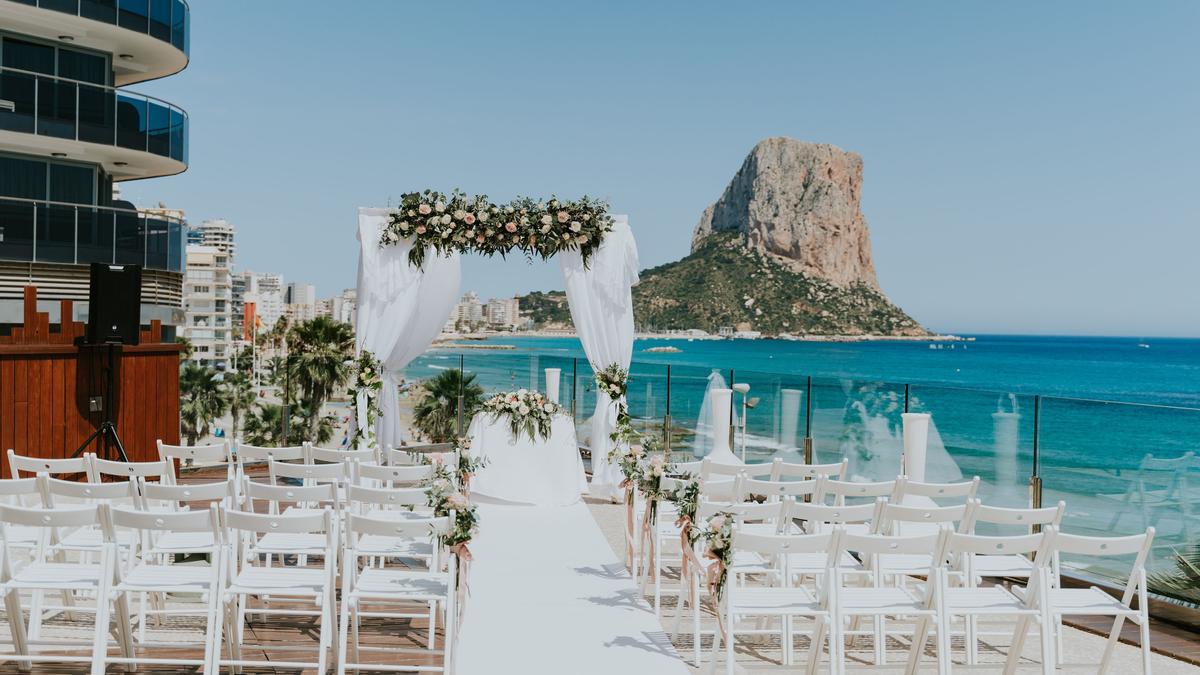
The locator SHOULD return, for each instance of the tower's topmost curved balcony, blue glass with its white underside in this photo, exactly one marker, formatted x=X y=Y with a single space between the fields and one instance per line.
x=148 y=39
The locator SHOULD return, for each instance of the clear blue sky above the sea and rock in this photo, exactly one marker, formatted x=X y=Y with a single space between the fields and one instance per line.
x=1030 y=168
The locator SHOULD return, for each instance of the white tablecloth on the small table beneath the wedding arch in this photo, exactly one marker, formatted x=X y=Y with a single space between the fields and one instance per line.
x=547 y=473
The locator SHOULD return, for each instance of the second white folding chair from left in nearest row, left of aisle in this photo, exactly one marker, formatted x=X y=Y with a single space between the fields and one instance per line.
x=157 y=576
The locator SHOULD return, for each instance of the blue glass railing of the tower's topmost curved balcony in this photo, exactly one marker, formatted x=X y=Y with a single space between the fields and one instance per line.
x=165 y=20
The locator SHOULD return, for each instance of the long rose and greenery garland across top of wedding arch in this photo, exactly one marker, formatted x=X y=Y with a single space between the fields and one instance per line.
x=473 y=224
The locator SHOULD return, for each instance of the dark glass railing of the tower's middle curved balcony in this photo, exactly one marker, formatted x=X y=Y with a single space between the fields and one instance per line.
x=79 y=111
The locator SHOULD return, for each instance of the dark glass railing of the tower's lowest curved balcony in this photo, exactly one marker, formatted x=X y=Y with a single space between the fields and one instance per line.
x=55 y=232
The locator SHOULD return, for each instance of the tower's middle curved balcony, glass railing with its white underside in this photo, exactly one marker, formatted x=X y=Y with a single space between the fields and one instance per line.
x=131 y=135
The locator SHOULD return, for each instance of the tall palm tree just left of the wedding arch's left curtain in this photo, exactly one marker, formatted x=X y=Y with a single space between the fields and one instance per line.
x=320 y=354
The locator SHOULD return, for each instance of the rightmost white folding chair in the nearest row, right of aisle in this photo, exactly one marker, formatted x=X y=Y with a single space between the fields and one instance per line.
x=1061 y=602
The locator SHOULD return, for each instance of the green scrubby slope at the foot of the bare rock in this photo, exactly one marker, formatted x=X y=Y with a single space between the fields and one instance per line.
x=723 y=283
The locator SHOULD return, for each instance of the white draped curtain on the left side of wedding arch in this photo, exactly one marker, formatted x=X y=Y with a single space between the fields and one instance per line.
x=401 y=310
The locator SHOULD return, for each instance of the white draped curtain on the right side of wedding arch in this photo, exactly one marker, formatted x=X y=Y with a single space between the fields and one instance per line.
x=603 y=312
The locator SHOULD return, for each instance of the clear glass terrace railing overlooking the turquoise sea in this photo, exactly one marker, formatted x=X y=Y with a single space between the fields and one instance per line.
x=1120 y=468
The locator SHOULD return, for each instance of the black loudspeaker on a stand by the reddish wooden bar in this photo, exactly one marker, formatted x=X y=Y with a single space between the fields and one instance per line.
x=115 y=304
